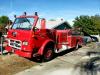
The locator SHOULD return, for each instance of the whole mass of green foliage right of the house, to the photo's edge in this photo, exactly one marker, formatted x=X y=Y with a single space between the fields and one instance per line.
x=90 y=24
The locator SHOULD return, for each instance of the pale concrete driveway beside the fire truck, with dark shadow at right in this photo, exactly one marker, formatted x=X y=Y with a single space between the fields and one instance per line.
x=70 y=63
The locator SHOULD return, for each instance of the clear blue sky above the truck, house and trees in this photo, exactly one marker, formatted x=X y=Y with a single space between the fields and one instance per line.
x=50 y=9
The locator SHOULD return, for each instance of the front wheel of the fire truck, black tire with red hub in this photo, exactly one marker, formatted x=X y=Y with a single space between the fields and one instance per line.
x=48 y=54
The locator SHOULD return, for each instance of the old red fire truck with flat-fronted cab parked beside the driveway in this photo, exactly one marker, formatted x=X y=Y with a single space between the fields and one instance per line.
x=29 y=38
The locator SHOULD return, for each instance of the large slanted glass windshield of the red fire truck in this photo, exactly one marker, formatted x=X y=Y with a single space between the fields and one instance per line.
x=23 y=23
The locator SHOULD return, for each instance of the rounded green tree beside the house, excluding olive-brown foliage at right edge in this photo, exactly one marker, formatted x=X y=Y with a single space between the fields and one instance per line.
x=86 y=23
